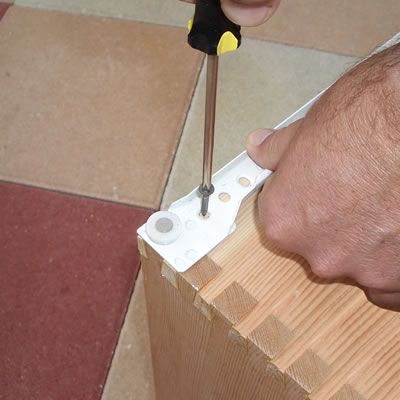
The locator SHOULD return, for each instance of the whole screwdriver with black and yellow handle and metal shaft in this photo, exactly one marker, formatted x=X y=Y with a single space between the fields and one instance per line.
x=211 y=32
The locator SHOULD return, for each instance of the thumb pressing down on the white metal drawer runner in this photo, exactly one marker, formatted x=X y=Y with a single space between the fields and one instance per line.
x=266 y=147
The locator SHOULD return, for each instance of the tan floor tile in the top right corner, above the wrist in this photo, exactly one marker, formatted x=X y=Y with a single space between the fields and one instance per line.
x=353 y=27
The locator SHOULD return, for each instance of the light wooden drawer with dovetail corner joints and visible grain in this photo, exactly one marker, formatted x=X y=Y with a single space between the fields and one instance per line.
x=250 y=321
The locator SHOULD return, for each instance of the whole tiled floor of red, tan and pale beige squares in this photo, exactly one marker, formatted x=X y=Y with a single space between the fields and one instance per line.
x=101 y=109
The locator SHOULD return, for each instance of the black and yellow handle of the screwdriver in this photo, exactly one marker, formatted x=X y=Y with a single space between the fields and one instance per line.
x=210 y=31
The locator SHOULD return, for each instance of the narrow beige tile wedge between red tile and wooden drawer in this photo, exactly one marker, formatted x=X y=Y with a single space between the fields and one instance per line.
x=131 y=374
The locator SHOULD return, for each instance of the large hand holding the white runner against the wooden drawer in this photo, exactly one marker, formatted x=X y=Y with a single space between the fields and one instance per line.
x=335 y=195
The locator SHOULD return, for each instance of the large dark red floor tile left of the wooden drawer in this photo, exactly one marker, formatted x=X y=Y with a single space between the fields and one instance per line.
x=67 y=268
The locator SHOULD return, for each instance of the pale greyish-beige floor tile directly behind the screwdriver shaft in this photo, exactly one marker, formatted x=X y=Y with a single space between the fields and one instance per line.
x=259 y=86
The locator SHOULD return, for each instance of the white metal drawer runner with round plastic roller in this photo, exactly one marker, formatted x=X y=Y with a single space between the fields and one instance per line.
x=182 y=236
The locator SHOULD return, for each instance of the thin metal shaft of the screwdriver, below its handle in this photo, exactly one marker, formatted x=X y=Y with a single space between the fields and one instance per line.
x=206 y=188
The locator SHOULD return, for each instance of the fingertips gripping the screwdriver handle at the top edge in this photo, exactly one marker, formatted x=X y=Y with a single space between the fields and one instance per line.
x=248 y=12
